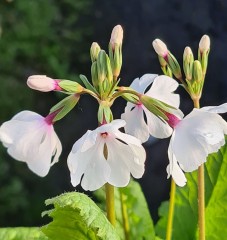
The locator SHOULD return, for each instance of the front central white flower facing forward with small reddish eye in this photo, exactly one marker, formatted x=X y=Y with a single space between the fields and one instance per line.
x=125 y=155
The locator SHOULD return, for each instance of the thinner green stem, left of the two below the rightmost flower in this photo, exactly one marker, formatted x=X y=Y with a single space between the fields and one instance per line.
x=171 y=210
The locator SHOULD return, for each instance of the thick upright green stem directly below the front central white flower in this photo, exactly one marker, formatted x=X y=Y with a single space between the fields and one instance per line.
x=110 y=203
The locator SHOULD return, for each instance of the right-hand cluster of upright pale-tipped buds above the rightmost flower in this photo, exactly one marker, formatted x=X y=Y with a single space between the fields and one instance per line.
x=194 y=70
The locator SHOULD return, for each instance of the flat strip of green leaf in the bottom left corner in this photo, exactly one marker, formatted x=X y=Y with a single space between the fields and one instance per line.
x=22 y=233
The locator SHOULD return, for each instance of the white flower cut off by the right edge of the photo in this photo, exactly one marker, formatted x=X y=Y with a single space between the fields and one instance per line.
x=196 y=136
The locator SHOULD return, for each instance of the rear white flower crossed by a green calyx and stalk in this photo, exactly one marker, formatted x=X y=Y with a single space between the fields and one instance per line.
x=161 y=89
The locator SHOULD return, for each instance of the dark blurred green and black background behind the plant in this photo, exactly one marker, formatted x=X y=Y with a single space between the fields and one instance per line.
x=53 y=38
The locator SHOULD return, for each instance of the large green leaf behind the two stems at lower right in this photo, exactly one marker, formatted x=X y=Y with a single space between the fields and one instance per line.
x=186 y=210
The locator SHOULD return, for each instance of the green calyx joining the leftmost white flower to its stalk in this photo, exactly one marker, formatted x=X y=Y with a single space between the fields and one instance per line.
x=65 y=106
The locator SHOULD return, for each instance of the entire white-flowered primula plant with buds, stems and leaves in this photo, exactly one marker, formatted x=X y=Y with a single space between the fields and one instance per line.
x=104 y=159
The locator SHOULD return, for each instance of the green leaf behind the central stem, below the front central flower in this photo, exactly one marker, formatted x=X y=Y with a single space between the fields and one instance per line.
x=140 y=222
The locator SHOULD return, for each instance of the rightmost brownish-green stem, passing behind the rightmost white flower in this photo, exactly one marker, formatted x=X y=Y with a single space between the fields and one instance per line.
x=201 y=193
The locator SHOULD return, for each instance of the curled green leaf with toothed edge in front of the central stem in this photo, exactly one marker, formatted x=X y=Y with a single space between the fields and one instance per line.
x=77 y=217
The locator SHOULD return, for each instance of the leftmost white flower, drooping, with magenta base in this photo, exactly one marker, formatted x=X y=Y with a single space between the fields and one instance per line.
x=31 y=138
